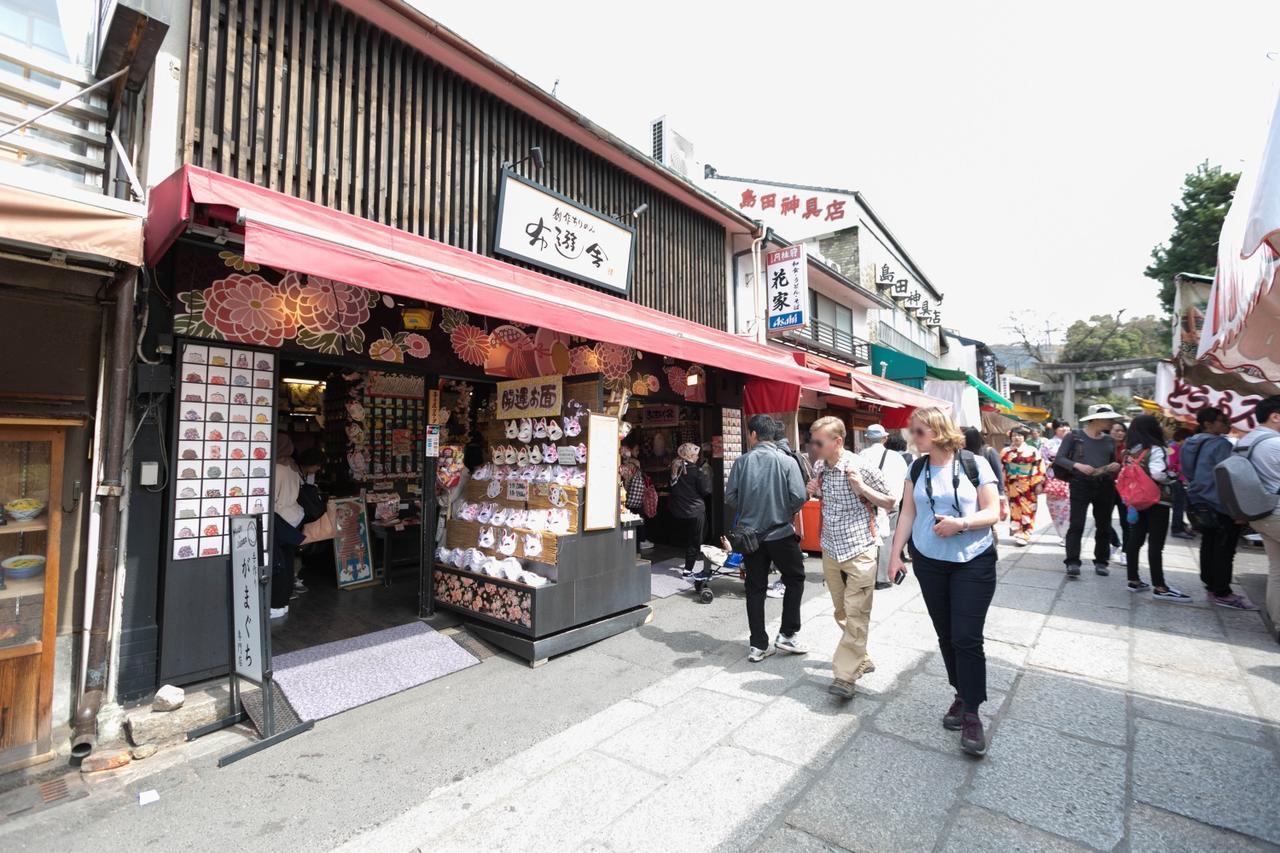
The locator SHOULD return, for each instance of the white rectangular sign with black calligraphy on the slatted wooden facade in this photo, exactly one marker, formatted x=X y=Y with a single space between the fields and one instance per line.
x=551 y=231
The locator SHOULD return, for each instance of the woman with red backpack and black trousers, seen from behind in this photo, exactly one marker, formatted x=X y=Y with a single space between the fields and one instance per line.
x=1148 y=457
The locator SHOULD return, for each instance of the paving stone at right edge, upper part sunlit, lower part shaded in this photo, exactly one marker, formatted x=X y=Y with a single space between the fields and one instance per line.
x=1197 y=704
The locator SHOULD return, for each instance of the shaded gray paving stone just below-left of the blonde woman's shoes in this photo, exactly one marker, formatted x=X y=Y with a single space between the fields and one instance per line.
x=872 y=797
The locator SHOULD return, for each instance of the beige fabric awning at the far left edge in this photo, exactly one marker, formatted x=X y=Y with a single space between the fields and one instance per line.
x=40 y=211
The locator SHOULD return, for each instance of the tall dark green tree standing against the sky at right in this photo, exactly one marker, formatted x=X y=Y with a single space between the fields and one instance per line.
x=1197 y=225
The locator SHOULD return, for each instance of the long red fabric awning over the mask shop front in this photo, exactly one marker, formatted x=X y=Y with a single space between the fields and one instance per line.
x=294 y=235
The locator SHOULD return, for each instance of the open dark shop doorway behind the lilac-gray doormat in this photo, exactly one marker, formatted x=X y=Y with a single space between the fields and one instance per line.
x=358 y=439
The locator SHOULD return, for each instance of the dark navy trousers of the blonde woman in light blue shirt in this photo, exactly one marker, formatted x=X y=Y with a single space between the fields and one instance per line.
x=958 y=596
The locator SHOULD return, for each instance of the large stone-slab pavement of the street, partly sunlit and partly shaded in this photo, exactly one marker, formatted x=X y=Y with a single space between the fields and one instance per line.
x=1117 y=722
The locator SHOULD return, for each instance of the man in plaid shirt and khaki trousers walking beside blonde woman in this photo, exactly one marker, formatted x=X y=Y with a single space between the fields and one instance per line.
x=851 y=494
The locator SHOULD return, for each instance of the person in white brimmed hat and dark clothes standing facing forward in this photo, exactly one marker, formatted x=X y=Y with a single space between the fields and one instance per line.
x=1087 y=459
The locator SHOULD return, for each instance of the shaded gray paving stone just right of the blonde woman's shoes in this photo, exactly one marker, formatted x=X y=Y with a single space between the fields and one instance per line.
x=1054 y=783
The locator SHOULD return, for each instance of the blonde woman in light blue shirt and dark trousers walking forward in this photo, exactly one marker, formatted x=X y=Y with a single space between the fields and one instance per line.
x=950 y=507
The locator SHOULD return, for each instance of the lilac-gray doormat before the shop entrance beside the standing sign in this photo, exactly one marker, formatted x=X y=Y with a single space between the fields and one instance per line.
x=328 y=679
